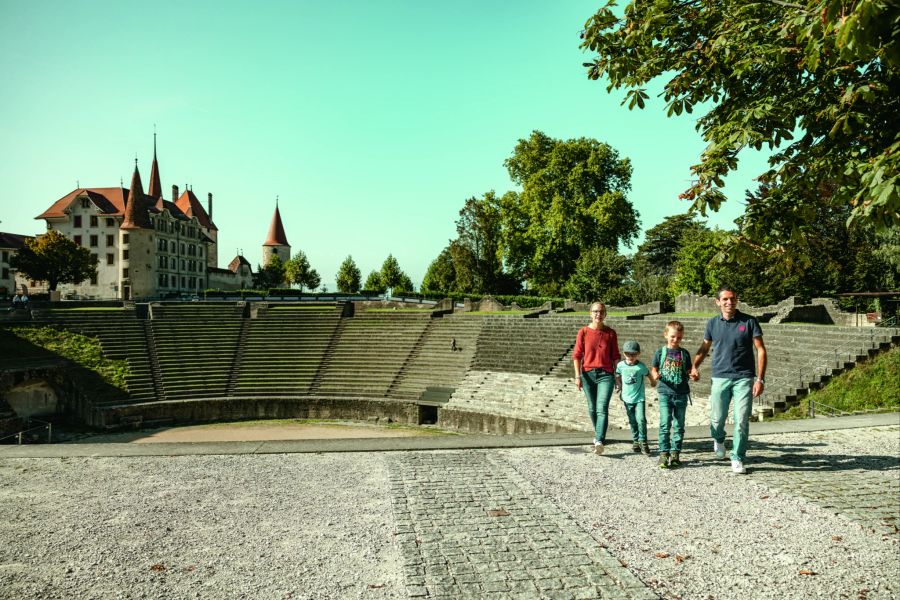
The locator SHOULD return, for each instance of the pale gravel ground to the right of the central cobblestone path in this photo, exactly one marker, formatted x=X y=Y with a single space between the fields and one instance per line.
x=701 y=532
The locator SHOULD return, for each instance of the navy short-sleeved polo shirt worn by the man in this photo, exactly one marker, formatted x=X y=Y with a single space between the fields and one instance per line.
x=733 y=345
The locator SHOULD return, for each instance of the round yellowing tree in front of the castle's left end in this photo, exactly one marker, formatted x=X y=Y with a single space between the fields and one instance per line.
x=54 y=258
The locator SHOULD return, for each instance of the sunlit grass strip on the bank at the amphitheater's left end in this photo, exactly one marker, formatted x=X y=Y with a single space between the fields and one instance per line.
x=85 y=351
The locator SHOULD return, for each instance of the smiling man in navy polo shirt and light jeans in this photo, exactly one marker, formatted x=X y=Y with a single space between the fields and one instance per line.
x=735 y=374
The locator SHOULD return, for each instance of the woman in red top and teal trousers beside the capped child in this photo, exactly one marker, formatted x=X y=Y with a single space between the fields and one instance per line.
x=595 y=356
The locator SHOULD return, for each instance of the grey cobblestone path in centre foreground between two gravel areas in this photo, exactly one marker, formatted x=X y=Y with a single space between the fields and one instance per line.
x=469 y=527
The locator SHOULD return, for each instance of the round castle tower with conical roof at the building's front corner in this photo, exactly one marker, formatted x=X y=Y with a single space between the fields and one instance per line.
x=137 y=274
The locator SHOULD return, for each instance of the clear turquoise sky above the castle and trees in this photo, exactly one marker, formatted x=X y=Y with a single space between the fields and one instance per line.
x=369 y=122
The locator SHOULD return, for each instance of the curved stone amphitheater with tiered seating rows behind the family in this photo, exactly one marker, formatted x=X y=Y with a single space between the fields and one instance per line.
x=470 y=372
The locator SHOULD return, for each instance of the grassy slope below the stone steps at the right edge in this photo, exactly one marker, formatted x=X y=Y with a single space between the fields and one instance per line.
x=871 y=386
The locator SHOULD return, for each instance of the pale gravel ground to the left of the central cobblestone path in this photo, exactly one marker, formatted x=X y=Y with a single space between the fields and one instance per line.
x=275 y=526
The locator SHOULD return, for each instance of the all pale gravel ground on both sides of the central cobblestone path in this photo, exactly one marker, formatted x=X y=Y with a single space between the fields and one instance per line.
x=320 y=526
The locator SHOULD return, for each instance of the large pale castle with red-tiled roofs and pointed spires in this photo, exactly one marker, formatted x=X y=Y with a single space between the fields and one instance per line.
x=146 y=246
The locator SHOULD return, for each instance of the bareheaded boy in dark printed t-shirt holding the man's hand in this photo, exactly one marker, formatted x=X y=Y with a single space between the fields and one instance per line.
x=670 y=369
